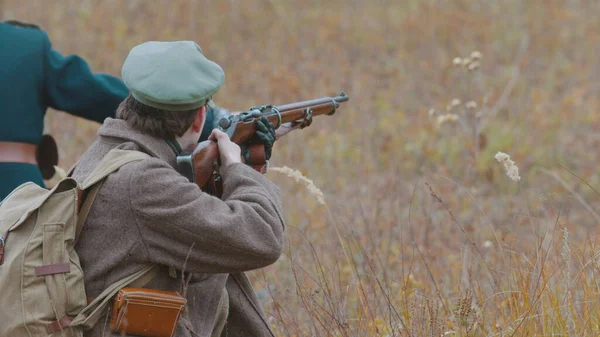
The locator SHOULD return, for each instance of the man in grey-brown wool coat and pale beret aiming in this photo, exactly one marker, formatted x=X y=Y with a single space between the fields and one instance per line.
x=147 y=213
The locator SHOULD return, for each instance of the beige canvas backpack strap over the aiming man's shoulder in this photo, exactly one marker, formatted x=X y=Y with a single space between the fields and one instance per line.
x=111 y=162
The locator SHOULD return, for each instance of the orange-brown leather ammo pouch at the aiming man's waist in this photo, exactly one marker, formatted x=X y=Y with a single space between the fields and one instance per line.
x=146 y=312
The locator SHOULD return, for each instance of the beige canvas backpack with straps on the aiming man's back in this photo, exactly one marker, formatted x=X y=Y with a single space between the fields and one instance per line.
x=42 y=289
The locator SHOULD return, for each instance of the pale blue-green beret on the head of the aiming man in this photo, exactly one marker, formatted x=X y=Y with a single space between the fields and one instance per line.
x=172 y=76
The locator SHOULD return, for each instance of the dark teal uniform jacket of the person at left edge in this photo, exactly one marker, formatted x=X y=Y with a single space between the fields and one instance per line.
x=33 y=77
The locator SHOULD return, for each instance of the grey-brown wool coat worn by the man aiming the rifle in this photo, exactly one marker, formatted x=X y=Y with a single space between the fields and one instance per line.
x=147 y=213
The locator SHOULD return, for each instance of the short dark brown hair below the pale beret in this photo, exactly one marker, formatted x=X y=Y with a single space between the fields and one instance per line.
x=155 y=122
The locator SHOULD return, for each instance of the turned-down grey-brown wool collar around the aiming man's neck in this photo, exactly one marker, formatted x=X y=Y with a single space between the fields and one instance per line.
x=122 y=132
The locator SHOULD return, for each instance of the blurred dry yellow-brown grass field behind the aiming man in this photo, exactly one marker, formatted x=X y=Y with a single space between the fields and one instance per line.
x=422 y=232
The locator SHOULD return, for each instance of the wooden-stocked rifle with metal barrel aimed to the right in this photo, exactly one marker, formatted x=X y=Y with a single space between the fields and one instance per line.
x=200 y=167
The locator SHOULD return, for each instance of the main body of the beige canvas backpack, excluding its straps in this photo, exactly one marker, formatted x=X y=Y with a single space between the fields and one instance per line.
x=32 y=243
